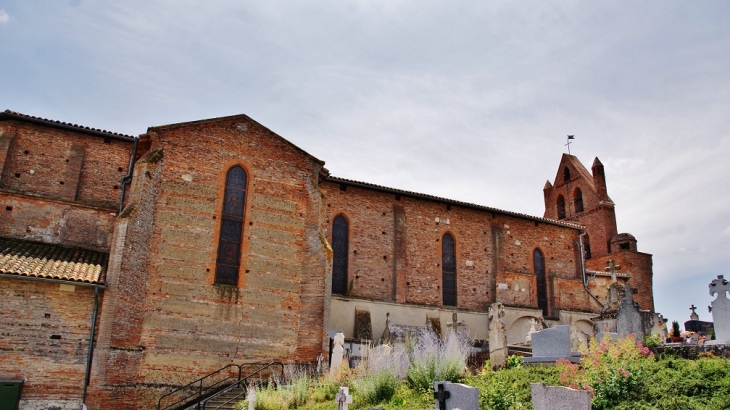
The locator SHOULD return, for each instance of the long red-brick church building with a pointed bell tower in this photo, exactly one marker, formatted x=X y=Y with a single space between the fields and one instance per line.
x=131 y=265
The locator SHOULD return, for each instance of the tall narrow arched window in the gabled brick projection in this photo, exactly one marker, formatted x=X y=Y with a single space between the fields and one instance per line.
x=229 y=241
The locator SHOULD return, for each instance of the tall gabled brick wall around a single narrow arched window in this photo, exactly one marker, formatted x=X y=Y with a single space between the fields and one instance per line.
x=184 y=326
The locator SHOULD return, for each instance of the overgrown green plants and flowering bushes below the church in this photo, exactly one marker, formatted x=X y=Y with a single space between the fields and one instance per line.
x=620 y=374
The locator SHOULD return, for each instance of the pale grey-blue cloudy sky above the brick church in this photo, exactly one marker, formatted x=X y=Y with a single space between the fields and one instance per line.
x=470 y=100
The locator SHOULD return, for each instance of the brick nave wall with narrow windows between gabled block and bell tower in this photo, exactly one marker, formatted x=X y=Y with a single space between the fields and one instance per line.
x=490 y=247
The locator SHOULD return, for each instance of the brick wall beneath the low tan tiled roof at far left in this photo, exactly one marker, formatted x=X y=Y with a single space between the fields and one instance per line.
x=44 y=337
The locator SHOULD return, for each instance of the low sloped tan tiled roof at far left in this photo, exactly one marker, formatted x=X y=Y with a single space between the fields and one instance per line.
x=32 y=259
